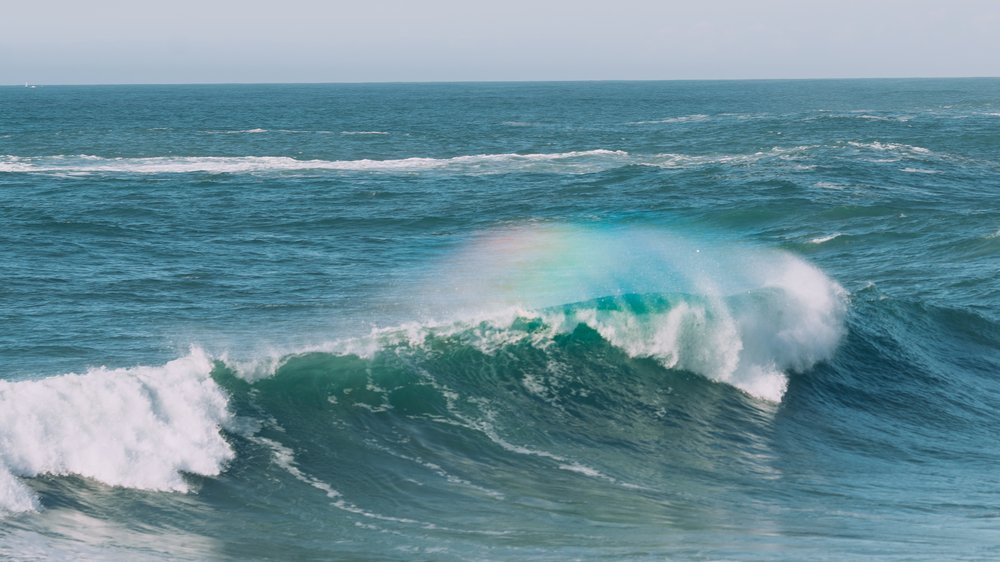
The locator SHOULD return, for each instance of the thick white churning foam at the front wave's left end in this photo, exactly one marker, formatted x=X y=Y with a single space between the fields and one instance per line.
x=141 y=427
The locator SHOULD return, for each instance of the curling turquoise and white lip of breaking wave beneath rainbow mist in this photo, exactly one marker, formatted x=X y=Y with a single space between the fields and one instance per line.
x=750 y=341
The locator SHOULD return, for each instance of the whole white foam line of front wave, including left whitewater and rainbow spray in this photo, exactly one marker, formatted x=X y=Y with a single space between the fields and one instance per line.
x=735 y=314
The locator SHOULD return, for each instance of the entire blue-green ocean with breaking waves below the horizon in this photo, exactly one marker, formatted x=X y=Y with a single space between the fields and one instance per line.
x=734 y=320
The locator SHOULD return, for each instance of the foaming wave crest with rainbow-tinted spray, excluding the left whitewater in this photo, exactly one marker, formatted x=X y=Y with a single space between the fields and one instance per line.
x=736 y=315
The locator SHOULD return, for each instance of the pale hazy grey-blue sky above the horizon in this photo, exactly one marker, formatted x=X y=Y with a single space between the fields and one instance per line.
x=126 y=41
